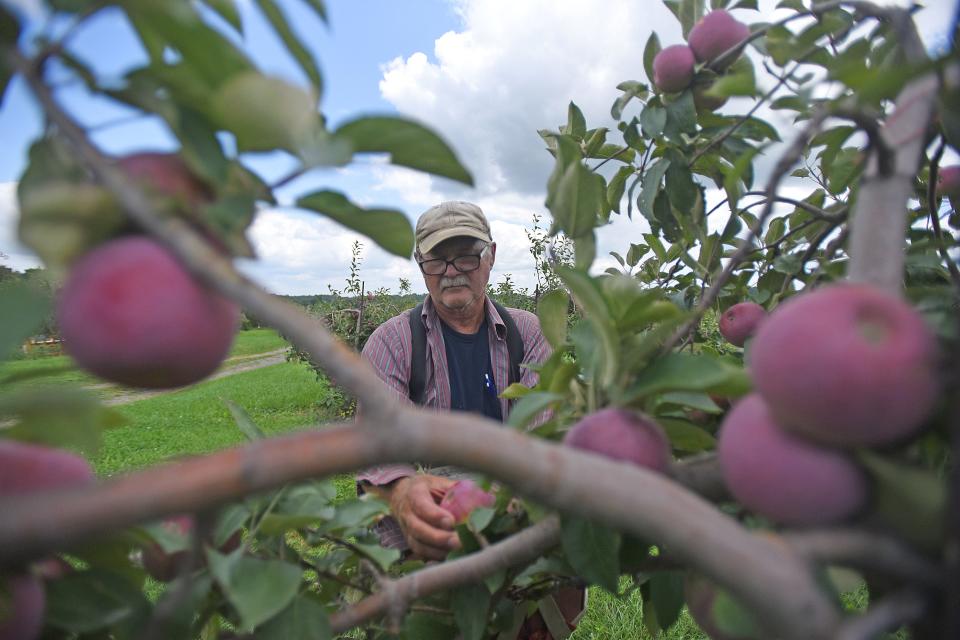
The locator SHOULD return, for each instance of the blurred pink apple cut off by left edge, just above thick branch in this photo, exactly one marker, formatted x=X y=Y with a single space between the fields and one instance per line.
x=25 y=468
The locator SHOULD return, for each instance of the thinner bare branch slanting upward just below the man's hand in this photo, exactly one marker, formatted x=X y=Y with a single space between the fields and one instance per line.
x=516 y=550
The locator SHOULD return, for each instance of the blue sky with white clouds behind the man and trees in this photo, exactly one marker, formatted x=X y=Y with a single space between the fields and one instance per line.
x=485 y=74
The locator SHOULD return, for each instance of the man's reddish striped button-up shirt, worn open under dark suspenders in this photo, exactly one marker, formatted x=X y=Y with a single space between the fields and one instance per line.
x=389 y=351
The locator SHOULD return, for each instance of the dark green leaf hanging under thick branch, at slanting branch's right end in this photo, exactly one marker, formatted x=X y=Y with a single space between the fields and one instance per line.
x=593 y=551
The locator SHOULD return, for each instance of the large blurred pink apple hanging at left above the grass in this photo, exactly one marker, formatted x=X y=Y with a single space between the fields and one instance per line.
x=130 y=313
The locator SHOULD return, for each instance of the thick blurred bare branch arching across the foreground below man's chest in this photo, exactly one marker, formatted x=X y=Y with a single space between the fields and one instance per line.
x=626 y=497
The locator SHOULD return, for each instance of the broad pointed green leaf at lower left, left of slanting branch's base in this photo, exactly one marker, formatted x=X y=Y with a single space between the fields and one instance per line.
x=258 y=589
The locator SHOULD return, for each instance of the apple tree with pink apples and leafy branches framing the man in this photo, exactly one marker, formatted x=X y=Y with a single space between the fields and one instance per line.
x=760 y=400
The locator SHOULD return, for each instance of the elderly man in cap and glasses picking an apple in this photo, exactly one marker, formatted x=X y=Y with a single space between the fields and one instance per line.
x=464 y=359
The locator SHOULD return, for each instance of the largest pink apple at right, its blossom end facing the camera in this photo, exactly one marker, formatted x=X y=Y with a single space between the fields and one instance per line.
x=847 y=365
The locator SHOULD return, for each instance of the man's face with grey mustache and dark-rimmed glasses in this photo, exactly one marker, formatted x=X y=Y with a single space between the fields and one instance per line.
x=453 y=289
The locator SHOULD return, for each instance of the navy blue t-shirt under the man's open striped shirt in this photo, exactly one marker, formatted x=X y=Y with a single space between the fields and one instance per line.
x=471 y=374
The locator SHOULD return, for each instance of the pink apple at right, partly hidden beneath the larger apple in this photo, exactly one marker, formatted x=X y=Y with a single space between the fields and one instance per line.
x=783 y=477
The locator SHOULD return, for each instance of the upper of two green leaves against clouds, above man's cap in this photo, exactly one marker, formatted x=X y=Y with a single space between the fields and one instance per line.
x=408 y=143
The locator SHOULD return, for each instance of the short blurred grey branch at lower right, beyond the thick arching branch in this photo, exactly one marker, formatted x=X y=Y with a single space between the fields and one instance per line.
x=866 y=550
